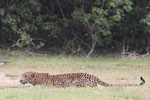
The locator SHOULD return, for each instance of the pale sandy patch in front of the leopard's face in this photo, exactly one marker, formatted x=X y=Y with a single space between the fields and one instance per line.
x=8 y=80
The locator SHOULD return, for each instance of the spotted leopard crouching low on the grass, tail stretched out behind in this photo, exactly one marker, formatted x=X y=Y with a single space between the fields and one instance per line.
x=67 y=80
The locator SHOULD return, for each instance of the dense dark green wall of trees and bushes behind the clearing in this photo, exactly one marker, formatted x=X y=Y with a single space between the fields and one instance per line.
x=75 y=25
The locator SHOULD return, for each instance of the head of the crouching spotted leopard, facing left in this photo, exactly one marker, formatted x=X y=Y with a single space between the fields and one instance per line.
x=28 y=77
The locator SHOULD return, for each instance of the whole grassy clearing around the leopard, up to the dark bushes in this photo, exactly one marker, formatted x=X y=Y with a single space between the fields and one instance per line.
x=110 y=69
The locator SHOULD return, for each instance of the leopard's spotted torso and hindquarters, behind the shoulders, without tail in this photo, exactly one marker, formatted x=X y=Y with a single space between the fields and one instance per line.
x=74 y=79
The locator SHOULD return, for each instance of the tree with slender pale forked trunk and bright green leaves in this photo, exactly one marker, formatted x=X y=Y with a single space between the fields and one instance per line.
x=99 y=18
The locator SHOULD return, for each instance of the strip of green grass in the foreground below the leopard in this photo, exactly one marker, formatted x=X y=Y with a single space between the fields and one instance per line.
x=43 y=93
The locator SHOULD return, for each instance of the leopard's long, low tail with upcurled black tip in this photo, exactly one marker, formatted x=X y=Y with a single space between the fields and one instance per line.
x=108 y=85
